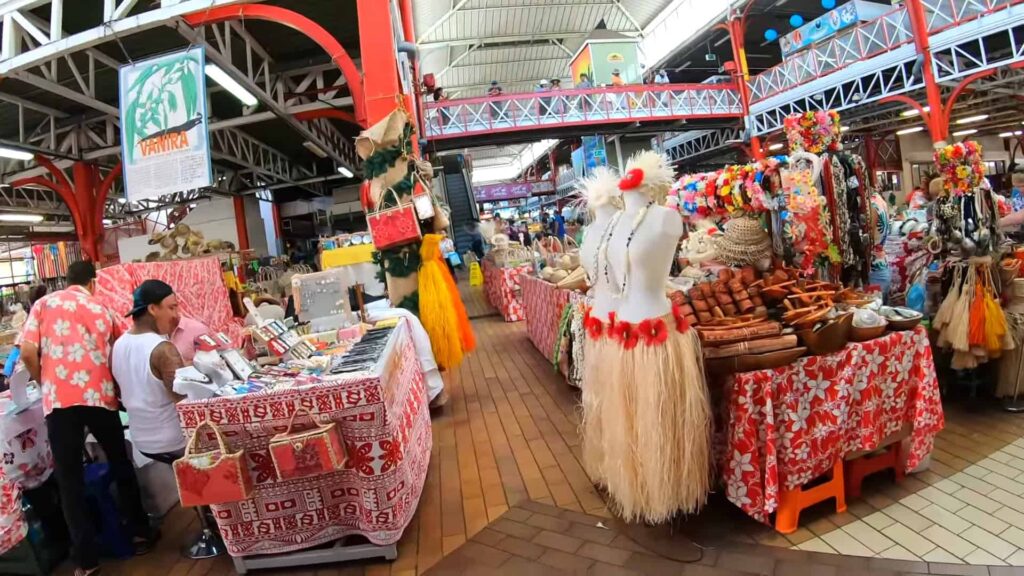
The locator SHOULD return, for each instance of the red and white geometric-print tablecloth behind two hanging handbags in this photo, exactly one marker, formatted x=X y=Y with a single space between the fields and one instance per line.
x=387 y=427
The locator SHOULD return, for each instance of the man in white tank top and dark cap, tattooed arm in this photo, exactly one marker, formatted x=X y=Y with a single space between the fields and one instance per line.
x=144 y=363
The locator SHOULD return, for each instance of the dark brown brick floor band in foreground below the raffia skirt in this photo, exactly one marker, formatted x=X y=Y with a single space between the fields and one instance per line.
x=523 y=544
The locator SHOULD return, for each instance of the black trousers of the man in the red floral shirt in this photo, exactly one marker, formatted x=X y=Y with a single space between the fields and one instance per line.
x=67 y=431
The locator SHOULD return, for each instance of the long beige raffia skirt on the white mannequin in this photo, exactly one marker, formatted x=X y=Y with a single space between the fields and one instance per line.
x=647 y=426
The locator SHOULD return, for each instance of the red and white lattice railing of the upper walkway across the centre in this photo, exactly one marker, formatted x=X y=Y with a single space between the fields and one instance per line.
x=579 y=107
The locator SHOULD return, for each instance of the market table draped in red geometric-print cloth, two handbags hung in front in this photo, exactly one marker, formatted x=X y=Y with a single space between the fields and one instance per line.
x=373 y=394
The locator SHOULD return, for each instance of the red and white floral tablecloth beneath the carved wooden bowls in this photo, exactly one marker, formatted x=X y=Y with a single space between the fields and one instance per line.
x=790 y=425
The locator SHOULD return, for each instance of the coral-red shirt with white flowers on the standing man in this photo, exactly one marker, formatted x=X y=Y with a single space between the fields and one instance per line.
x=74 y=334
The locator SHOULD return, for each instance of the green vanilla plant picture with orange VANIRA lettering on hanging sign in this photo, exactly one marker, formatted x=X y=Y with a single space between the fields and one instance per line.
x=162 y=105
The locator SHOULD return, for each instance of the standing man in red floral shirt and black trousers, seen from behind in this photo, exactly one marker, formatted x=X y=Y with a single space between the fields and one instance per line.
x=66 y=346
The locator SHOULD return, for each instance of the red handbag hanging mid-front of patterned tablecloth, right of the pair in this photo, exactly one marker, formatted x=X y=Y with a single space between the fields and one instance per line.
x=308 y=454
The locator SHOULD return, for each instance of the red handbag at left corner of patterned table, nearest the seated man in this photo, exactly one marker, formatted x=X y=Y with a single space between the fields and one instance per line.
x=218 y=477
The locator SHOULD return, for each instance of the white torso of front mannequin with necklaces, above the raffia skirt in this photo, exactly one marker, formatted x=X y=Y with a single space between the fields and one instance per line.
x=650 y=254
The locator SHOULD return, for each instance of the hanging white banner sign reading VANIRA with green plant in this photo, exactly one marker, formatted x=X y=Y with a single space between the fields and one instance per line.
x=165 y=141
